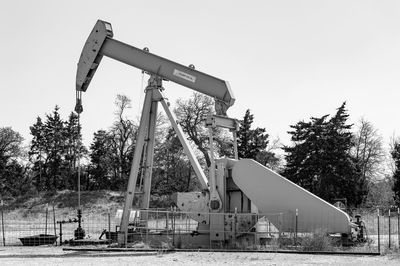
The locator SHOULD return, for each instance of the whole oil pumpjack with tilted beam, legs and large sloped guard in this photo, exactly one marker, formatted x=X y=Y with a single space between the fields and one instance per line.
x=233 y=185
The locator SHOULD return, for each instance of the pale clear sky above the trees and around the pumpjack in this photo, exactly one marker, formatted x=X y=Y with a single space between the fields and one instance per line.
x=286 y=60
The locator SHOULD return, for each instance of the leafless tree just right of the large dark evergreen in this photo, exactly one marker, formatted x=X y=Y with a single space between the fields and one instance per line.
x=369 y=151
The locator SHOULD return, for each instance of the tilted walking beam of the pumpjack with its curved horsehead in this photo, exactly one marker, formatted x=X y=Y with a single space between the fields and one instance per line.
x=100 y=43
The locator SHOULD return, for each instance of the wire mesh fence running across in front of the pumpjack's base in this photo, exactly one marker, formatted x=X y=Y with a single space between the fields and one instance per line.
x=160 y=228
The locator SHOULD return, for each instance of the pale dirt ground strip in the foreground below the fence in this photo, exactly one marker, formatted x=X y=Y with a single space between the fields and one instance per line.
x=56 y=256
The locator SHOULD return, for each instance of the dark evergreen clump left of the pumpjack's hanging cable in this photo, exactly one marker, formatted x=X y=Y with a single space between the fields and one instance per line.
x=53 y=150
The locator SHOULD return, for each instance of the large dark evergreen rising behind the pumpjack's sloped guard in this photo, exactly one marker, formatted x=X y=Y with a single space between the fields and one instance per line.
x=320 y=159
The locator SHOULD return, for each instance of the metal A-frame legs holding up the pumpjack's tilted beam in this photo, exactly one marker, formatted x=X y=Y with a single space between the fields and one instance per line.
x=144 y=152
